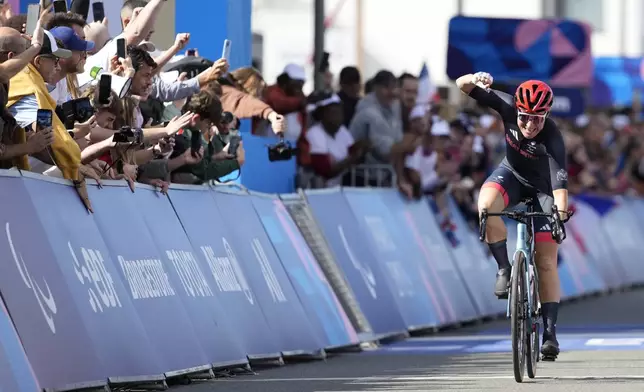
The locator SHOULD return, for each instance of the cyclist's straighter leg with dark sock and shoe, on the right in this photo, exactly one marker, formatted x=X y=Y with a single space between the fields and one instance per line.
x=549 y=289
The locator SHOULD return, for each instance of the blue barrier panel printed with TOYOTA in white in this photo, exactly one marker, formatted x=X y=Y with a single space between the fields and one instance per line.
x=189 y=274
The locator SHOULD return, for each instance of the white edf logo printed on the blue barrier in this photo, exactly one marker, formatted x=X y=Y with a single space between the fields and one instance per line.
x=100 y=284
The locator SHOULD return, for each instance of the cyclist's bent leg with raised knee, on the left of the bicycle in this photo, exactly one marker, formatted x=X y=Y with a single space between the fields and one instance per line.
x=499 y=190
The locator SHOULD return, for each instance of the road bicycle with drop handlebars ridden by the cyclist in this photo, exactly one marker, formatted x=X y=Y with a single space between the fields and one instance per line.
x=524 y=306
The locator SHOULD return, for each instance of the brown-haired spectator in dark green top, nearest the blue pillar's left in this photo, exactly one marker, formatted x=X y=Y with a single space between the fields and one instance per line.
x=212 y=160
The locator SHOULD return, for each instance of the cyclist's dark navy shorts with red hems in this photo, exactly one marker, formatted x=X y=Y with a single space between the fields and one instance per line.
x=514 y=190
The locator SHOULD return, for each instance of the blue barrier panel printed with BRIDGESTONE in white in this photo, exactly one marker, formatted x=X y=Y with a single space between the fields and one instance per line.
x=147 y=277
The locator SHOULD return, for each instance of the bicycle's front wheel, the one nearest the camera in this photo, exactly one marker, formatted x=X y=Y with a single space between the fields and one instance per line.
x=518 y=301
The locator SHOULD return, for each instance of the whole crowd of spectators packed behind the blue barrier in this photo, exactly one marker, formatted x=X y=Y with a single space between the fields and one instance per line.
x=172 y=116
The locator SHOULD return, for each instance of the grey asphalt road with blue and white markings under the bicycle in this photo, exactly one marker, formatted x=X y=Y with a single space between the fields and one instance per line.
x=414 y=370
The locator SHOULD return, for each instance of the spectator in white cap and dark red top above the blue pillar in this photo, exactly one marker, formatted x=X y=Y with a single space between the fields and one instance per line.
x=287 y=98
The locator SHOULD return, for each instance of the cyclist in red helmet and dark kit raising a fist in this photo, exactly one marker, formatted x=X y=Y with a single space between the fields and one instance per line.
x=534 y=165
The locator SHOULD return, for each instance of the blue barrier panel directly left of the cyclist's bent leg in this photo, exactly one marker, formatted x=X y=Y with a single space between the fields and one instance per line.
x=482 y=275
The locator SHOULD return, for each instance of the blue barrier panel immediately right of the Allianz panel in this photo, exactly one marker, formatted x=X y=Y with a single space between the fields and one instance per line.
x=279 y=301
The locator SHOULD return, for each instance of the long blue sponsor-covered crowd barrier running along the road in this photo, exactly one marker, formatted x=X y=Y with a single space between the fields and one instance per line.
x=154 y=286
